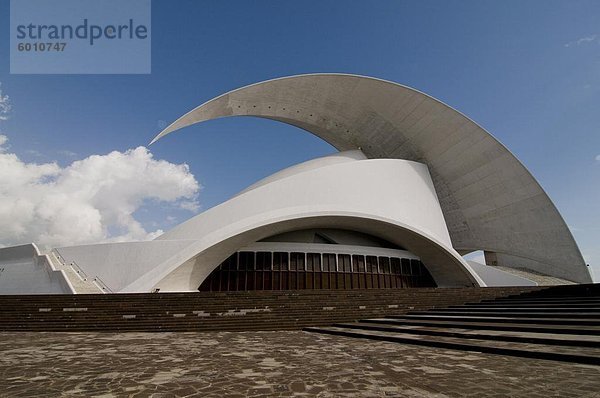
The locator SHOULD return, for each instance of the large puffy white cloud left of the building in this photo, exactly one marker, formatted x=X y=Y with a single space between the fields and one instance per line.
x=91 y=200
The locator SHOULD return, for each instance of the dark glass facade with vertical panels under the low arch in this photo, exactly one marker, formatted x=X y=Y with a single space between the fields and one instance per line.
x=248 y=270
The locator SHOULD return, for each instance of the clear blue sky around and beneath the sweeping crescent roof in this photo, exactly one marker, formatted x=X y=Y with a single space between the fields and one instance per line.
x=527 y=71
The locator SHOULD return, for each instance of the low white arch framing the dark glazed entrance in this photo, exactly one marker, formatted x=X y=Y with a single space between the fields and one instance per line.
x=190 y=266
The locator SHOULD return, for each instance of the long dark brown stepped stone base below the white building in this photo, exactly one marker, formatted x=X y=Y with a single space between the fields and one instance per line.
x=230 y=311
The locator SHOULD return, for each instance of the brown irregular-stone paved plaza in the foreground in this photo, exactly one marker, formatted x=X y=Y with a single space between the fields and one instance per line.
x=280 y=363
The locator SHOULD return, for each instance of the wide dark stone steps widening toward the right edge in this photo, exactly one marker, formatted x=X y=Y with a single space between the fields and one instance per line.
x=557 y=323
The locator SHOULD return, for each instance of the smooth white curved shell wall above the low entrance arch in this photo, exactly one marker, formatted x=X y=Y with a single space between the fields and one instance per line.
x=365 y=186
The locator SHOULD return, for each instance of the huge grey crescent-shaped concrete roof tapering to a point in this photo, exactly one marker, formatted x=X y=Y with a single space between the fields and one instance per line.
x=489 y=199
